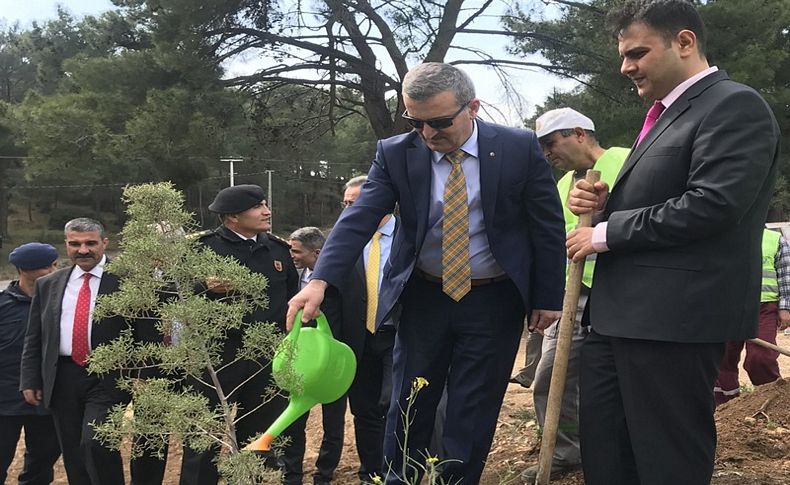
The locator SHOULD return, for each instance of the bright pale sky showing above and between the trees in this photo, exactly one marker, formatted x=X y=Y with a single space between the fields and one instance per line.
x=533 y=86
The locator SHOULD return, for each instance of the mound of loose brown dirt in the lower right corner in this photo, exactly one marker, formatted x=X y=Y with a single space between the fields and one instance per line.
x=754 y=436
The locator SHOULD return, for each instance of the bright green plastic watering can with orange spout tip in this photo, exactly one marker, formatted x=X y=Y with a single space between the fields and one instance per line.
x=326 y=366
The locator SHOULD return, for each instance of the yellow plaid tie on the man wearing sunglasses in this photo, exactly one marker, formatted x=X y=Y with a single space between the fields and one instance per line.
x=456 y=271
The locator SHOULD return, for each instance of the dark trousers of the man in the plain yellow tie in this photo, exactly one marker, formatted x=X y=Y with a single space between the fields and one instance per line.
x=369 y=398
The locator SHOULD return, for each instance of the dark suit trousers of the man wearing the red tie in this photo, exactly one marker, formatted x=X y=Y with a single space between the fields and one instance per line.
x=78 y=399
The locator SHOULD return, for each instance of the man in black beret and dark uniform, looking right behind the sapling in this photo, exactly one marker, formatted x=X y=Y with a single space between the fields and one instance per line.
x=243 y=235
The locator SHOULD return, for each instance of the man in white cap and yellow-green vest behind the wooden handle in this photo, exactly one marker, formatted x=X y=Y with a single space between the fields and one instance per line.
x=569 y=143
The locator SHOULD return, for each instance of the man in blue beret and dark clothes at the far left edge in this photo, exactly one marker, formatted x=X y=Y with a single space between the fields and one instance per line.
x=32 y=260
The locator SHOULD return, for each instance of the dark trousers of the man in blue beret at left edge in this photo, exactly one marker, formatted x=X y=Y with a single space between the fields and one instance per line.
x=41 y=447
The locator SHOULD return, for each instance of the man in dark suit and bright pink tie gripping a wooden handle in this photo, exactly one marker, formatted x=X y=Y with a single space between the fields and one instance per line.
x=679 y=243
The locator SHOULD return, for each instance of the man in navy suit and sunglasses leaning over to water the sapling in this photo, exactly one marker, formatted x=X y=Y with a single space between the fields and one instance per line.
x=479 y=244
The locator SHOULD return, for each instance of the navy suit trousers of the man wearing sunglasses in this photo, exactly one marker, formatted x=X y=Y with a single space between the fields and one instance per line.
x=471 y=345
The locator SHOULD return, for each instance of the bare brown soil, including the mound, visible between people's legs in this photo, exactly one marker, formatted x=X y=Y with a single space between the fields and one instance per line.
x=753 y=447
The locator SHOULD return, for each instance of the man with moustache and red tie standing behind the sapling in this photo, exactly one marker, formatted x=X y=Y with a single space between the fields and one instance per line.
x=60 y=335
